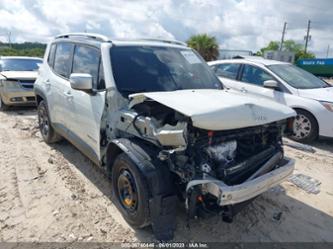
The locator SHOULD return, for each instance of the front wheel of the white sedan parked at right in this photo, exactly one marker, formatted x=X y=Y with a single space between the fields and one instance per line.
x=305 y=127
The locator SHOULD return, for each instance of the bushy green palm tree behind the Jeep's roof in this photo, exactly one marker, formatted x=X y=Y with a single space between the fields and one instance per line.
x=206 y=46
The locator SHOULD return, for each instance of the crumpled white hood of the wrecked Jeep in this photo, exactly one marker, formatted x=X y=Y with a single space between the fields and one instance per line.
x=219 y=109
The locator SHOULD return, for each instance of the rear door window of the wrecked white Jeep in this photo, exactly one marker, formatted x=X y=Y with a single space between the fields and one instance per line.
x=62 y=62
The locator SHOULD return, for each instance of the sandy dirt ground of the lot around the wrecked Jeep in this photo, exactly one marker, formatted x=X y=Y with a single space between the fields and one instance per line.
x=53 y=193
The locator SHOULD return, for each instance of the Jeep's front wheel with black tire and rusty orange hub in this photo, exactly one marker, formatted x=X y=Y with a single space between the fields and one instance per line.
x=130 y=192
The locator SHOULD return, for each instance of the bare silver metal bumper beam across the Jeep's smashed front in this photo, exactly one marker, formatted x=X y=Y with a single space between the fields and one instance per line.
x=228 y=195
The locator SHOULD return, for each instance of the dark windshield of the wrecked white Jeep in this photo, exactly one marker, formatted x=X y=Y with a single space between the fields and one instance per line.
x=149 y=69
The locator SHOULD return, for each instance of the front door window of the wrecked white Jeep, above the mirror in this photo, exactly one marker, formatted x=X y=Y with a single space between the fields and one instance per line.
x=86 y=60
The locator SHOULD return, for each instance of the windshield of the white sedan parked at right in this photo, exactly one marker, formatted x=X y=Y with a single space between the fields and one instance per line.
x=297 y=77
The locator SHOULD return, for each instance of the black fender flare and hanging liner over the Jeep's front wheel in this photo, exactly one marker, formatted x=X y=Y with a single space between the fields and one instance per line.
x=162 y=198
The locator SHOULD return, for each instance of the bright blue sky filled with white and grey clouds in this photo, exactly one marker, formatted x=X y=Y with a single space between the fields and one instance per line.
x=236 y=24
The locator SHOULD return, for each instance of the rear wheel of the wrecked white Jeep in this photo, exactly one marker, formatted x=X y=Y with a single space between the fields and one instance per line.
x=45 y=126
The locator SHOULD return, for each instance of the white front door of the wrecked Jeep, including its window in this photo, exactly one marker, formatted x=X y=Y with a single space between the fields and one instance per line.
x=87 y=107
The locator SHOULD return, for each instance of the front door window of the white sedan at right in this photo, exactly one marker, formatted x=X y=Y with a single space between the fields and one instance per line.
x=255 y=75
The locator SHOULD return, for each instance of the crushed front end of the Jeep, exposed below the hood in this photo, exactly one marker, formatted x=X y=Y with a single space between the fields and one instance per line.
x=213 y=171
